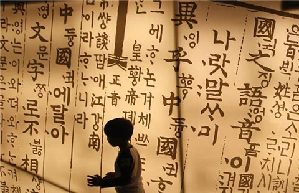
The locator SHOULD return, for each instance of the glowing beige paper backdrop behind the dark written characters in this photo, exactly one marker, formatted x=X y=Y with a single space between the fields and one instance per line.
x=65 y=166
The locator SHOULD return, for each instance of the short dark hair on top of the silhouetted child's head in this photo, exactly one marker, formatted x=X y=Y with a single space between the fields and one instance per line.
x=120 y=128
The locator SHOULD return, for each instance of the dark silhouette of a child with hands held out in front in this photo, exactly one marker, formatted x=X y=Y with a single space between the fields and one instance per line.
x=127 y=176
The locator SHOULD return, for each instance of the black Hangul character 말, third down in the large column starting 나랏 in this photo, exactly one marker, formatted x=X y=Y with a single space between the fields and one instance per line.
x=214 y=89
